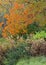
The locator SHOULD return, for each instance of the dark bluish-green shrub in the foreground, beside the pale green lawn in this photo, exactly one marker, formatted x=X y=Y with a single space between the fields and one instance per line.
x=12 y=56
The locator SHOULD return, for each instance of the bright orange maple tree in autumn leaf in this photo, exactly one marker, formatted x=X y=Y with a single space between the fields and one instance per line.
x=18 y=18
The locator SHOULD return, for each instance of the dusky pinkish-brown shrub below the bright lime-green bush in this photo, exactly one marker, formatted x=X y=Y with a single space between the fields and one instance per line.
x=38 y=47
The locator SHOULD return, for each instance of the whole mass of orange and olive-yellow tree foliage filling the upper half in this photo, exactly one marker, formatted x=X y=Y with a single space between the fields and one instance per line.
x=19 y=14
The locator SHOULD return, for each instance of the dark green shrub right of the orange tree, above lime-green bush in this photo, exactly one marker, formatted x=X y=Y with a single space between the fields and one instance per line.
x=34 y=27
